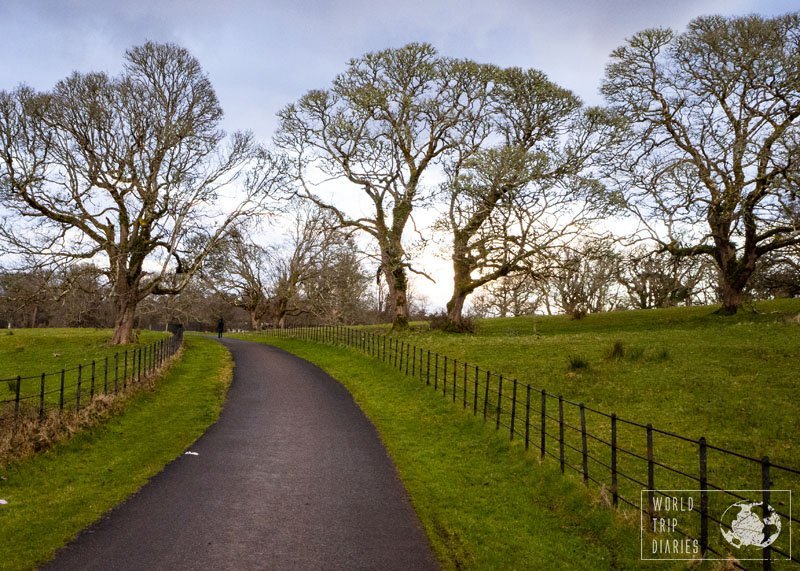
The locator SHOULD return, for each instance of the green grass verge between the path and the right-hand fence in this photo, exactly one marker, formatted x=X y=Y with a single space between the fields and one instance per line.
x=485 y=503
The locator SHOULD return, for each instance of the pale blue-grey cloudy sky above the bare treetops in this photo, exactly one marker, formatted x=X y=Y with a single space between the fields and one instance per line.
x=262 y=55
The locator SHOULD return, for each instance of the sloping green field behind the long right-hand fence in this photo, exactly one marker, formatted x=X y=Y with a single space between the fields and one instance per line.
x=731 y=379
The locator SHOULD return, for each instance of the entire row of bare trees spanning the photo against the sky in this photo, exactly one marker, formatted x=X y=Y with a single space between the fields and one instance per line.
x=697 y=144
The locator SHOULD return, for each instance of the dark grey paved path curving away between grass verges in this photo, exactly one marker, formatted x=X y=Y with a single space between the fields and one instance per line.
x=292 y=476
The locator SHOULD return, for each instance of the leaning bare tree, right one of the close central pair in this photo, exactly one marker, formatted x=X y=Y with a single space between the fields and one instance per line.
x=521 y=193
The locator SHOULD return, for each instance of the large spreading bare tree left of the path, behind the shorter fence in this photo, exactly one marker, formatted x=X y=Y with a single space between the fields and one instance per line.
x=126 y=170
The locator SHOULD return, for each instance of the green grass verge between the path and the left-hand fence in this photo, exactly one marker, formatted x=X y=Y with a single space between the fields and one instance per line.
x=52 y=496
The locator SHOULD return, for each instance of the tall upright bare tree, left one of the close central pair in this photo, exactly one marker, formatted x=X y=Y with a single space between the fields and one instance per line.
x=383 y=125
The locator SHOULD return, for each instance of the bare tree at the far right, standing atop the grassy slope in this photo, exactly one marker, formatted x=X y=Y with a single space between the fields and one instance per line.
x=710 y=166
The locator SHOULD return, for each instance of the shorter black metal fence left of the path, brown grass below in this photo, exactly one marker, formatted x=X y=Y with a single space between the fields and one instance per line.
x=75 y=387
